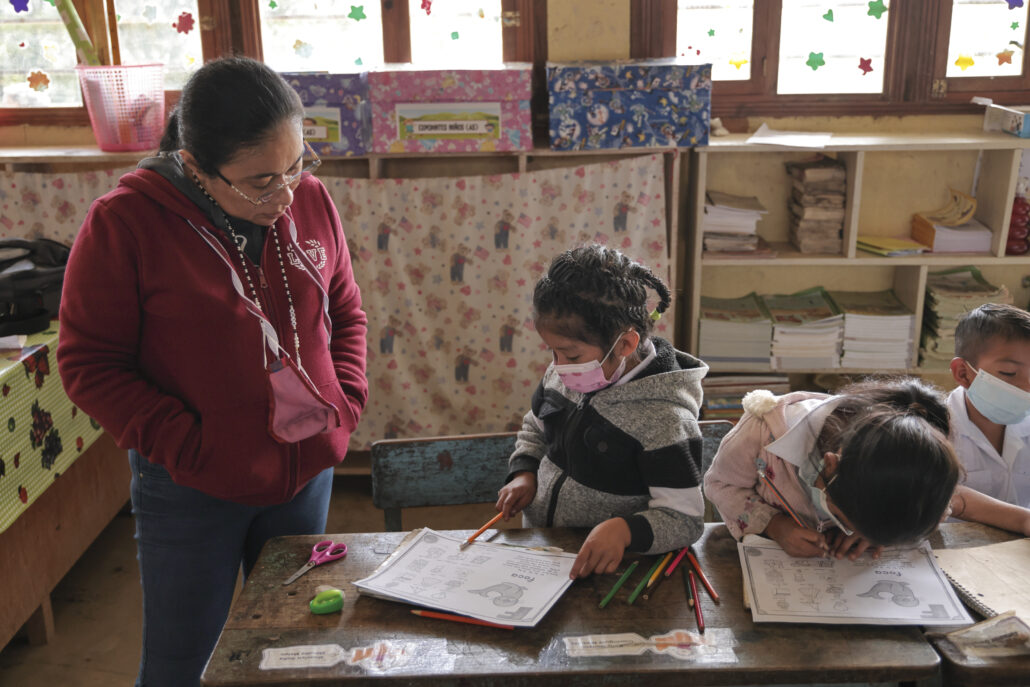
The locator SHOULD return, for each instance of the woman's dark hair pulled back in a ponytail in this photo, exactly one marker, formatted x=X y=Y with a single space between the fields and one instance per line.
x=227 y=107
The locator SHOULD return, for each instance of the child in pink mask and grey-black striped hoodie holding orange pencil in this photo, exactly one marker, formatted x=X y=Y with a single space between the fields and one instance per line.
x=611 y=441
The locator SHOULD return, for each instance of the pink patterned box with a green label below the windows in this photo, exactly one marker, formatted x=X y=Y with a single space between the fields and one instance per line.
x=452 y=111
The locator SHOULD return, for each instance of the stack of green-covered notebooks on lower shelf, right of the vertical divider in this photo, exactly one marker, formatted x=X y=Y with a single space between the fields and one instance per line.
x=951 y=294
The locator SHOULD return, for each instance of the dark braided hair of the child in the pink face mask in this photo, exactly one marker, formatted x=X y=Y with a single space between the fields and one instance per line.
x=594 y=294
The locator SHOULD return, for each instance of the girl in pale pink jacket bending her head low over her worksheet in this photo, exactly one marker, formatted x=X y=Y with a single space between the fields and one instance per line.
x=834 y=475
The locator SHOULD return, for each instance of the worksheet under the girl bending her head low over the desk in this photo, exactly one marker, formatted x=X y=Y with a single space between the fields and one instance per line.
x=905 y=587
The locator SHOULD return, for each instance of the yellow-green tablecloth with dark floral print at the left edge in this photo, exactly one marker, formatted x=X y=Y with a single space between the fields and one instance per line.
x=42 y=432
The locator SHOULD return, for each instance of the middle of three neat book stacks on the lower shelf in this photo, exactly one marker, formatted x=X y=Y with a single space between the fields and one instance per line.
x=807 y=330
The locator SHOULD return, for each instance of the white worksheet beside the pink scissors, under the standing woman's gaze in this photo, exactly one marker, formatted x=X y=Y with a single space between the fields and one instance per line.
x=500 y=583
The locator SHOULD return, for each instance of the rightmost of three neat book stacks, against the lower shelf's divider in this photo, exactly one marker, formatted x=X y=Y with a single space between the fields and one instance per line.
x=879 y=330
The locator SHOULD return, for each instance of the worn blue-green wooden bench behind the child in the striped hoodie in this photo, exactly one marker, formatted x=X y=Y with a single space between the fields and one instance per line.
x=470 y=469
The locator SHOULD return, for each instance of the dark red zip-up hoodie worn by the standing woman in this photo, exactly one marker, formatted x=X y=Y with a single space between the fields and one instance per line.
x=157 y=346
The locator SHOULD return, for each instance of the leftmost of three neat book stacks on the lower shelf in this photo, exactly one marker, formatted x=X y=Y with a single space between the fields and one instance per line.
x=735 y=332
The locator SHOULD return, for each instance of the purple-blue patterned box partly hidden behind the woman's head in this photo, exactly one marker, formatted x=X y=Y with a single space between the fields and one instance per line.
x=337 y=116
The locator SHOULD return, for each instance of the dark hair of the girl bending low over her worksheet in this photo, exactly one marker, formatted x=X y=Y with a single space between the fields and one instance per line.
x=898 y=470
